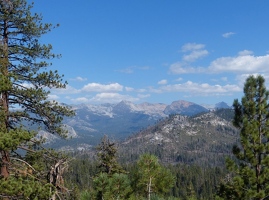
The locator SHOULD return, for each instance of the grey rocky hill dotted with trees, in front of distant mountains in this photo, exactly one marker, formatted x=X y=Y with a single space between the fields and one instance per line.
x=205 y=139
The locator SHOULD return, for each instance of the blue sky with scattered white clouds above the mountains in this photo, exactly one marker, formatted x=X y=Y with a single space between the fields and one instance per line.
x=156 y=51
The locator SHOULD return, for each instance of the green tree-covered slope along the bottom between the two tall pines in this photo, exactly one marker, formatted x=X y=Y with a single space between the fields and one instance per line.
x=180 y=181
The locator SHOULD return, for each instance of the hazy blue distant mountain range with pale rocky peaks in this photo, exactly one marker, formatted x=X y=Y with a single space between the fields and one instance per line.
x=120 y=120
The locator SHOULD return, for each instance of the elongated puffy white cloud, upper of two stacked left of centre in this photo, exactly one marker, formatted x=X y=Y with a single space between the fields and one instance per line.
x=97 y=87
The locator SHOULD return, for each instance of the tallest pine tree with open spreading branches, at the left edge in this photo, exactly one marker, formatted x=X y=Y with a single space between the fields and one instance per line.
x=24 y=88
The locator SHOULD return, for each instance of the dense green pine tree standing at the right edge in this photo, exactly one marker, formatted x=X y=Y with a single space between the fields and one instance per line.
x=250 y=174
